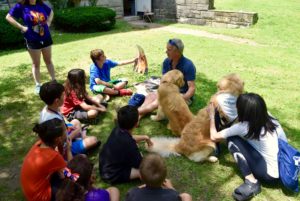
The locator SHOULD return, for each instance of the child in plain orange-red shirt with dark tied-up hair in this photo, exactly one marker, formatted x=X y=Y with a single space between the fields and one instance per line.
x=42 y=161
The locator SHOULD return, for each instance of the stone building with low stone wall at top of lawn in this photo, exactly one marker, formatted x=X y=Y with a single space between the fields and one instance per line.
x=200 y=12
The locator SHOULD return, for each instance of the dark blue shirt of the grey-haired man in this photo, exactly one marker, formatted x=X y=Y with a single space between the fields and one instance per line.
x=187 y=68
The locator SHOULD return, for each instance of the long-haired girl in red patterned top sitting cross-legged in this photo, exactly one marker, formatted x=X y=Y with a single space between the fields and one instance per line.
x=77 y=103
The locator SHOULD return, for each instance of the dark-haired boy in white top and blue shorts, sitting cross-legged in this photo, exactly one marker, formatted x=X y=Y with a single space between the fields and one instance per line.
x=52 y=93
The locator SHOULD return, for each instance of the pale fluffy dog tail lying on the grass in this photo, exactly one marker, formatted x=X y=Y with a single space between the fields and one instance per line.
x=164 y=146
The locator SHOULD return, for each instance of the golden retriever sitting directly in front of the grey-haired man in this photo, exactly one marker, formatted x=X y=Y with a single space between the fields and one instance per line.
x=171 y=102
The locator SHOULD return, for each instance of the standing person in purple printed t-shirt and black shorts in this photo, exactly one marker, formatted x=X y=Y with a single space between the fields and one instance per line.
x=37 y=18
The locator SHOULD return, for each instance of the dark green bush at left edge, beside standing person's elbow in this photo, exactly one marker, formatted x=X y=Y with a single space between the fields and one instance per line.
x=9 y=35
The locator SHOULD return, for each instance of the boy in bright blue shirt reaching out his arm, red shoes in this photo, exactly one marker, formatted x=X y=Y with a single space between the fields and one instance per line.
x=100 y=81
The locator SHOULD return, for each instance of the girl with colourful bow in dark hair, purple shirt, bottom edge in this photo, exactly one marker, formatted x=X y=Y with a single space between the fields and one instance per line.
x=78 y=183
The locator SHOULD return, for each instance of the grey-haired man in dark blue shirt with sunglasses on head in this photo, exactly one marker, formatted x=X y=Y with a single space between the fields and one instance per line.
x=175 y=60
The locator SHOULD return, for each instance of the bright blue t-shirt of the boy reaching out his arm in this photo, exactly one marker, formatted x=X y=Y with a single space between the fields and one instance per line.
x=101 y=73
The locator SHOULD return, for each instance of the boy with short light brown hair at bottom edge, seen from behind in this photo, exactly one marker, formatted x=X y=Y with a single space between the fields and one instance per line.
x=153 y=173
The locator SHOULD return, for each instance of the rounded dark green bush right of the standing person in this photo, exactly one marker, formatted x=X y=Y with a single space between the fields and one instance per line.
x=84 y=19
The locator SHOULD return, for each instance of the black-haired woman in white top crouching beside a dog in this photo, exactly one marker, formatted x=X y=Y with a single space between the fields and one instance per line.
x=253 y=142
